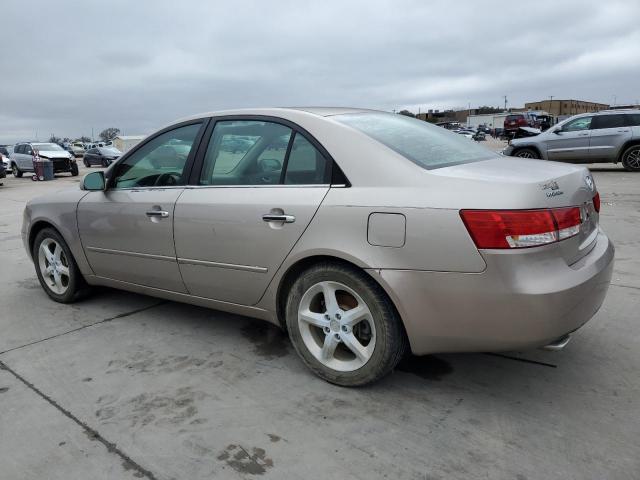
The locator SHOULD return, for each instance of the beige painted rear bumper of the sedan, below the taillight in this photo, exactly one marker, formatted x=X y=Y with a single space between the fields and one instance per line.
x=523 y=300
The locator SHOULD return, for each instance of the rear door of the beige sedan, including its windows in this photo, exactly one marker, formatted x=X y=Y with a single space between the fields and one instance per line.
x=260 y=184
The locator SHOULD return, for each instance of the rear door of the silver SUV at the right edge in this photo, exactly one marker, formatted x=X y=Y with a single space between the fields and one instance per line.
x=608 y=134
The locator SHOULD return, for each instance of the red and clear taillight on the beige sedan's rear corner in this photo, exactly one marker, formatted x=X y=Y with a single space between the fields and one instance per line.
x=521 y=228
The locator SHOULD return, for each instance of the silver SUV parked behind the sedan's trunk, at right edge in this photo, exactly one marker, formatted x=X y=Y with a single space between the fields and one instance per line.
x=610 y=136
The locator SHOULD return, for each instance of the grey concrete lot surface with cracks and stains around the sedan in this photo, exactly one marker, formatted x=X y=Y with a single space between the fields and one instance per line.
x=127 y=386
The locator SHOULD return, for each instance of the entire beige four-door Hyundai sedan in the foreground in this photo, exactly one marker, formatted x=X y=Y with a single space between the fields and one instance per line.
x=363 y=234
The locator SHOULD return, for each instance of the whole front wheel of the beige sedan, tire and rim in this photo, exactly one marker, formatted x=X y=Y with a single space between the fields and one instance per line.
x=66 y=284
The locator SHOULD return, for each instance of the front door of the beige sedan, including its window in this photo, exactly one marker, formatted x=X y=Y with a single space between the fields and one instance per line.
x=127 y=230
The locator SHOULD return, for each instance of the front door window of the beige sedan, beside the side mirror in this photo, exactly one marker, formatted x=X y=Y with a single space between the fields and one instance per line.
x=159 y=162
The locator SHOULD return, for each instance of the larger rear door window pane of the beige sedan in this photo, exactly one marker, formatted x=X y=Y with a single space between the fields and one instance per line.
x=245 y=152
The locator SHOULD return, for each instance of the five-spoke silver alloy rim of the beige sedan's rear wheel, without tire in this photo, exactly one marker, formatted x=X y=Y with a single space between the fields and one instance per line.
x=336 y=326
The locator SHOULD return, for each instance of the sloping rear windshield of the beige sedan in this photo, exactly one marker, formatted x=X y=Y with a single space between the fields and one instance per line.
x=424 y=144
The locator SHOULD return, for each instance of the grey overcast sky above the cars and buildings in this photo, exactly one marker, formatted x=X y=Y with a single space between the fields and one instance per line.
x=70 y=66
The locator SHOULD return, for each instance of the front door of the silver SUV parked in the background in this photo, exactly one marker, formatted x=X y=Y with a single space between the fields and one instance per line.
x=571 y=141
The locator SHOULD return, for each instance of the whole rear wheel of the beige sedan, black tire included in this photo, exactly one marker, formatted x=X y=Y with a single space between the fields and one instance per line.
x=378 y=332
